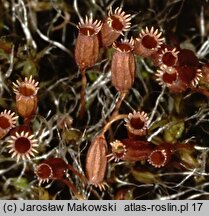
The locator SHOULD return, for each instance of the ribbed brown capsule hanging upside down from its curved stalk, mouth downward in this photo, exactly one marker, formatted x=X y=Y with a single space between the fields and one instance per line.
x=96 y=161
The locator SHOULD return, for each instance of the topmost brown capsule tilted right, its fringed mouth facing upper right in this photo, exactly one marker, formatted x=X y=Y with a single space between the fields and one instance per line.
x=115 y=23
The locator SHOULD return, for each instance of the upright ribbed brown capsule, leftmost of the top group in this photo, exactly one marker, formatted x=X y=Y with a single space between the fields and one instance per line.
x=87 y=43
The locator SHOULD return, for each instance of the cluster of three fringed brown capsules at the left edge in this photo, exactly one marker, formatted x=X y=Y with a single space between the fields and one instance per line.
x=22 y=141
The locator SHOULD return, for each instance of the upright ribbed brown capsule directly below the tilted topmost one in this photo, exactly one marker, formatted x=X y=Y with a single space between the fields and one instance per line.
x=123 y=65
